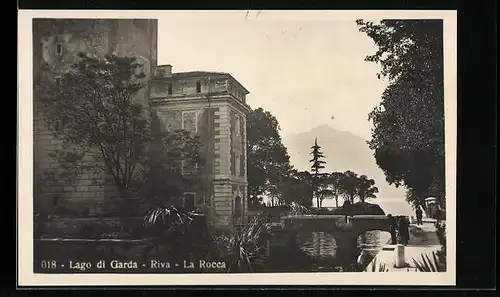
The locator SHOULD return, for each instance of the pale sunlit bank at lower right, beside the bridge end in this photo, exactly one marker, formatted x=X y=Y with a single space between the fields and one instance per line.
x=423 y=240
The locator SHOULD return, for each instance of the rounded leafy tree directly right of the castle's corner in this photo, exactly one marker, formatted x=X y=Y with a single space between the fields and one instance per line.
x=268 y=159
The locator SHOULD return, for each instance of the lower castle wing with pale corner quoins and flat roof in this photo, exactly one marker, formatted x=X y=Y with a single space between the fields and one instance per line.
x=212 y=105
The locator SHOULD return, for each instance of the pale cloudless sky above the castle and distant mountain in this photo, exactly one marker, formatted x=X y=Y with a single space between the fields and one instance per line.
x=307 y=69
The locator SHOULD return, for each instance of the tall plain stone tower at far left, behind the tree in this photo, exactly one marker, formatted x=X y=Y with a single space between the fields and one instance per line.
x=56 y=43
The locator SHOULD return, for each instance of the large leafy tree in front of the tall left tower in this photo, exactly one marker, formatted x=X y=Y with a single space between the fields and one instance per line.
x=92 y=110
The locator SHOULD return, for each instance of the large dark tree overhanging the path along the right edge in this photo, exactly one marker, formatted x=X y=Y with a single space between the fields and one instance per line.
x=408 y=133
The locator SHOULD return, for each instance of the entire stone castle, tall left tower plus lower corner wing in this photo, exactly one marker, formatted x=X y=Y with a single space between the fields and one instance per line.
x=209 y=104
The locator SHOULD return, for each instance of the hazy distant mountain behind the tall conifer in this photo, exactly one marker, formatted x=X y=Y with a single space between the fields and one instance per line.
x=343 y=151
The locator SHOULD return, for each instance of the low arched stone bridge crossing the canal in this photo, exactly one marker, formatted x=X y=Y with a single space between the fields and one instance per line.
x=345 y=233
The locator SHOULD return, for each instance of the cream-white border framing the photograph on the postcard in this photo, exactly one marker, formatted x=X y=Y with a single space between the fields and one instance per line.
x=26 y=276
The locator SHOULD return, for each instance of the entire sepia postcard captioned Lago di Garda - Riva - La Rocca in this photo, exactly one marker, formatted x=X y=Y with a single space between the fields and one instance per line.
x=236 y=148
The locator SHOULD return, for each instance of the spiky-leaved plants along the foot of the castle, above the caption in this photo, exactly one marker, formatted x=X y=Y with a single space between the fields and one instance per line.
x=242 y=250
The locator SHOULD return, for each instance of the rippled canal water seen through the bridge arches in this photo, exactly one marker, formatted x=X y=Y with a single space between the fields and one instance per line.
x=321 y=247
